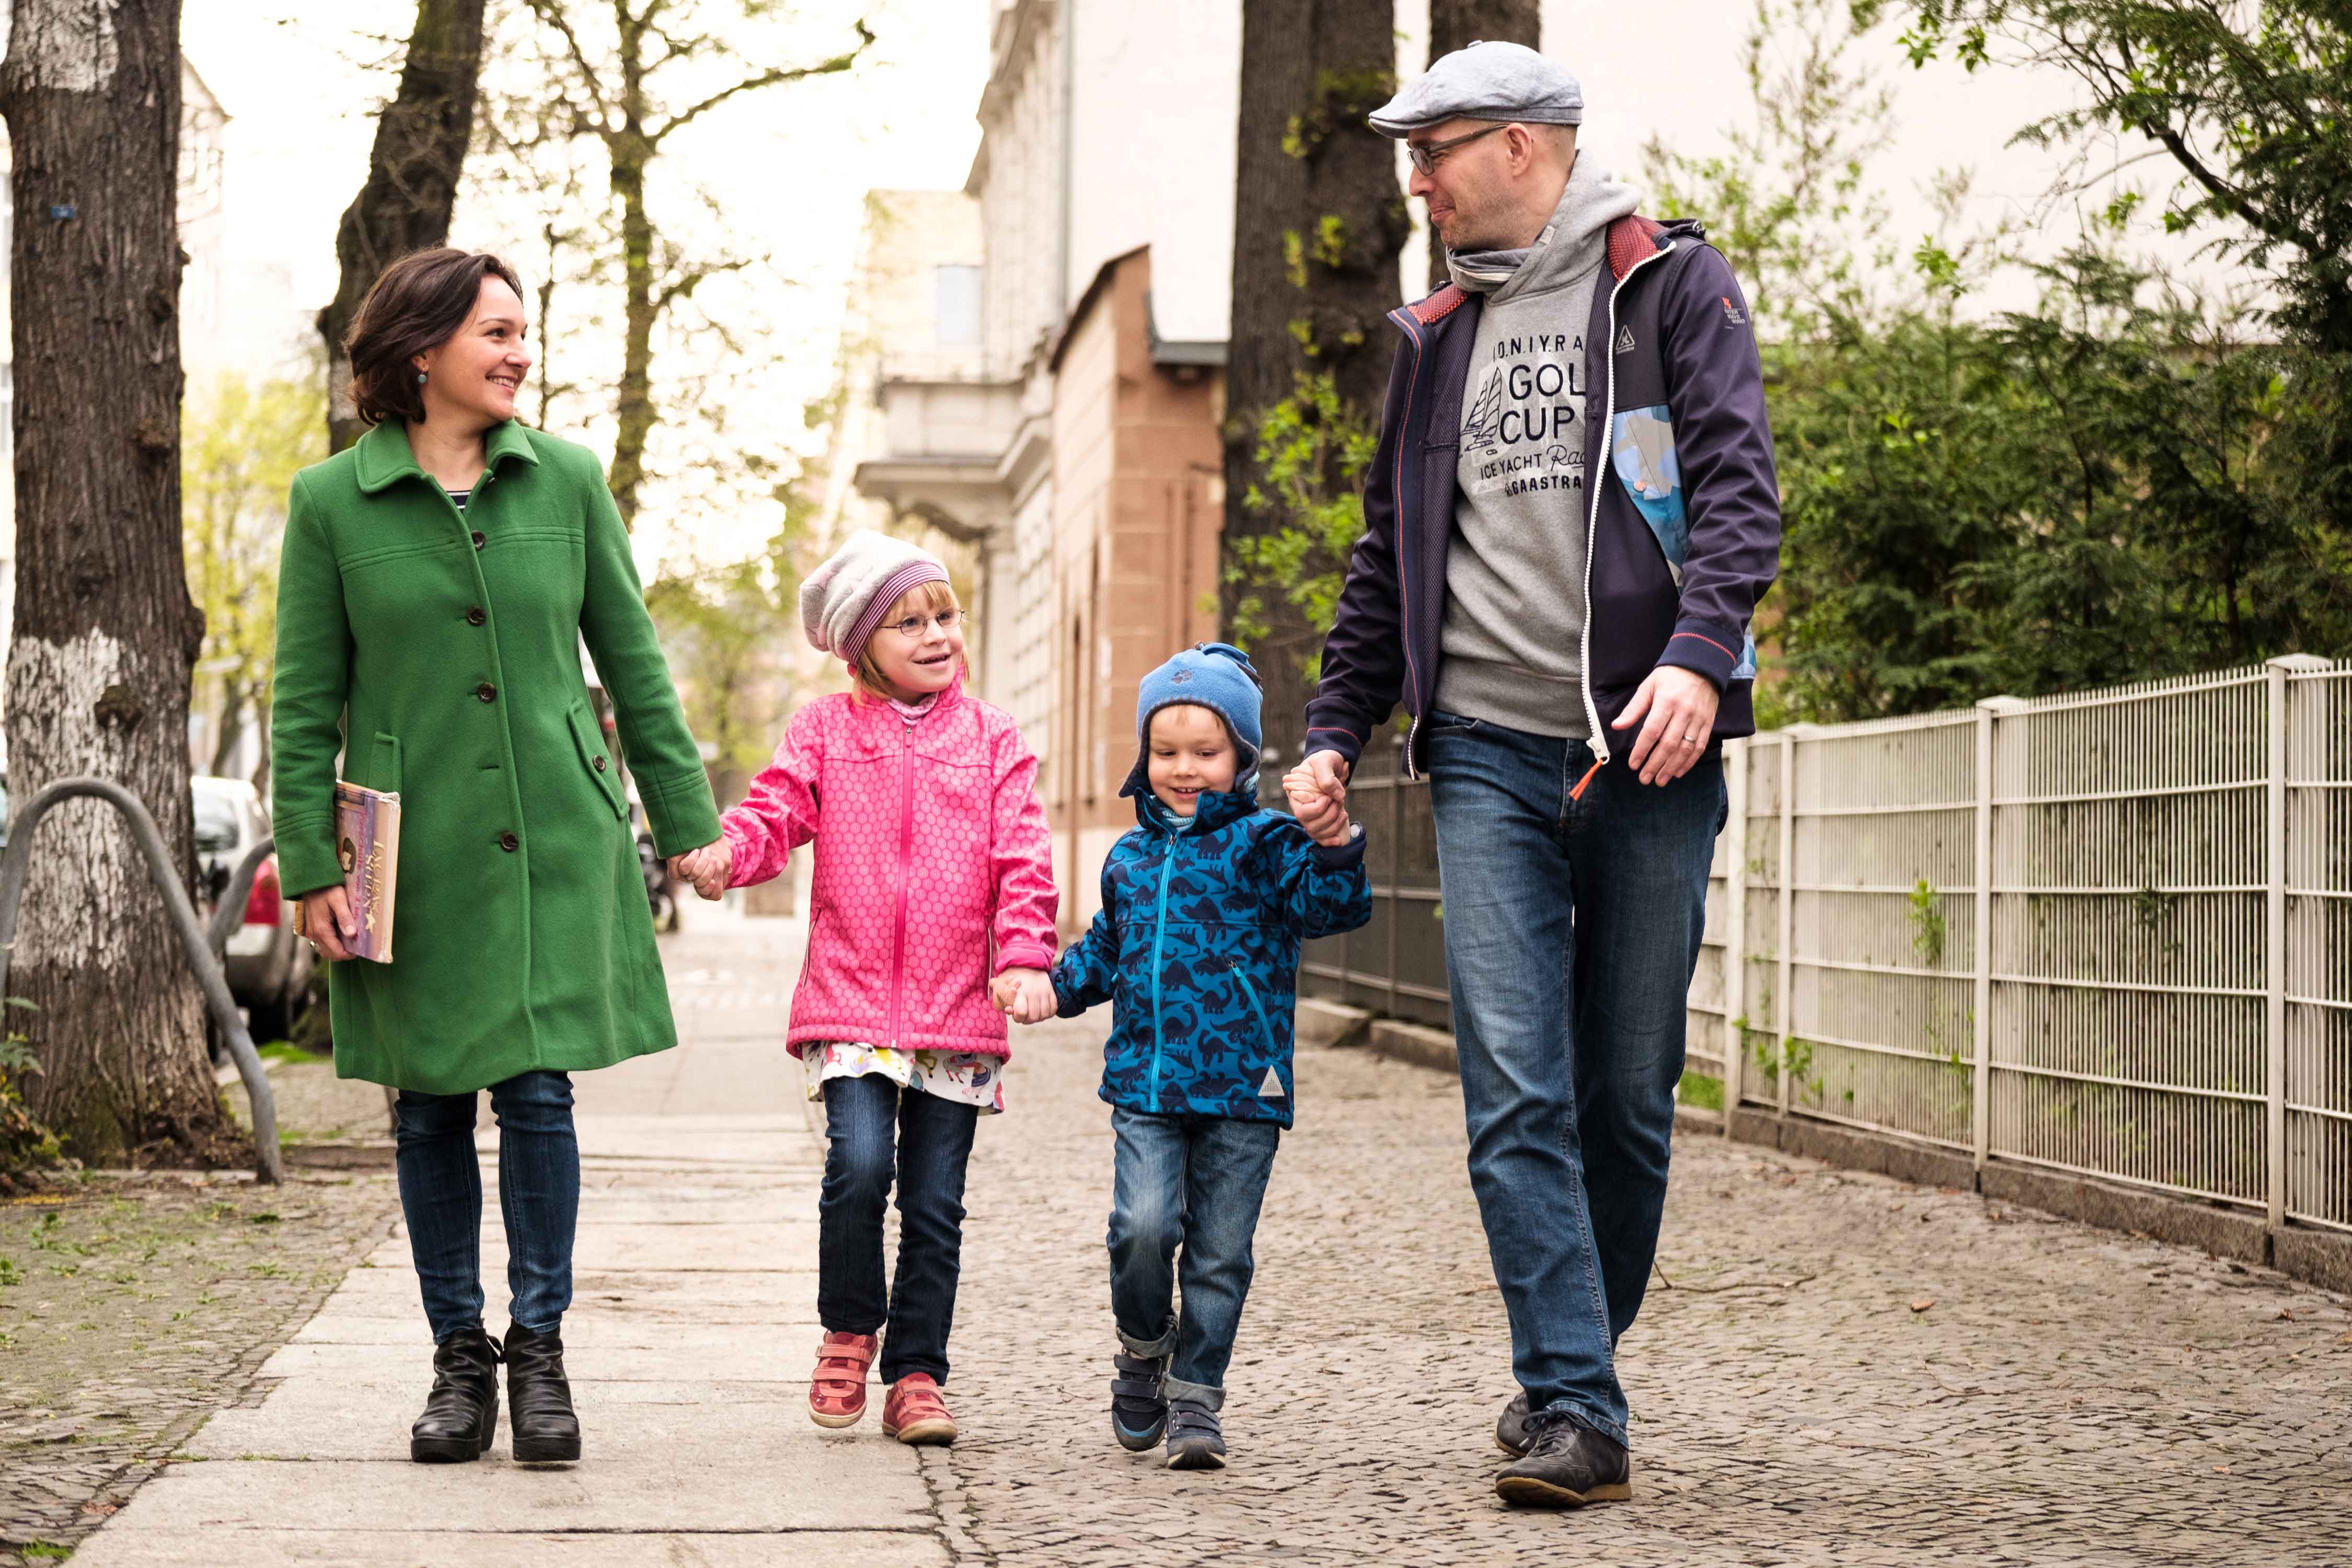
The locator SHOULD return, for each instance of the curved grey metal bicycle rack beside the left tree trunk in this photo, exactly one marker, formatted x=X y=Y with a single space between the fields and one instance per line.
x=203 y=946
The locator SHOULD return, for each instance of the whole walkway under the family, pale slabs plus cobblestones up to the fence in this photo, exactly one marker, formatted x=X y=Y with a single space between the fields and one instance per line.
x=1833 y=1369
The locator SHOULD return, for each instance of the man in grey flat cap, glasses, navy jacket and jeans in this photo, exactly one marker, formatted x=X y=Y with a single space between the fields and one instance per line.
x=1568 y=528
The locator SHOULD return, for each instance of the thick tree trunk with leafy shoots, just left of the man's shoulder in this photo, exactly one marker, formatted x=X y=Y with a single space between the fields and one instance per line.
x=1318 y=227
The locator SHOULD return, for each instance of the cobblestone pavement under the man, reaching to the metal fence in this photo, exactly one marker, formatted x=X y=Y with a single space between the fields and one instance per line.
x=1843 y=1372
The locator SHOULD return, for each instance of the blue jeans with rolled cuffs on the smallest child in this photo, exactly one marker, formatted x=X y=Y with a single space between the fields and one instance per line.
x=1194 y=1181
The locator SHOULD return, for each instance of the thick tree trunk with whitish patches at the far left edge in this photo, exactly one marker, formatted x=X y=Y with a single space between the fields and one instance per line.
x=98 y=676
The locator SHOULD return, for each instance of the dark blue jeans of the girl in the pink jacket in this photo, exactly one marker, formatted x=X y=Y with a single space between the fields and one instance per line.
x=928 y=1167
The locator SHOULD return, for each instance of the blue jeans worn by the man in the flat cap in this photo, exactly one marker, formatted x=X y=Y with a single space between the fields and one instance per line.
x=1572 y=930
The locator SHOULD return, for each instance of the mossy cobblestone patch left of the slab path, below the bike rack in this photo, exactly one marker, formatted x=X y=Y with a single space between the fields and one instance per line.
x=131 y=1311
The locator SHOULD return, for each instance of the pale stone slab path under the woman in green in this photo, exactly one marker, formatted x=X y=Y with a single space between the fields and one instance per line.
x=690 y=1346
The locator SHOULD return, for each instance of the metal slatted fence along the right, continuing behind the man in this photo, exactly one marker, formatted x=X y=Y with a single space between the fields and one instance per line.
x=2104 y=932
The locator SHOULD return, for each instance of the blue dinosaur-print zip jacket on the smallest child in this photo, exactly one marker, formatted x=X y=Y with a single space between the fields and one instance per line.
x=1198 y=953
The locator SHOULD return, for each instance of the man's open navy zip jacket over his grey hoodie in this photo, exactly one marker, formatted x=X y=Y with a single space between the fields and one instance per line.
x=1683 y=530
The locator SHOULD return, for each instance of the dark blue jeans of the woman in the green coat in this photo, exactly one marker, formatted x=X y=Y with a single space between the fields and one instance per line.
x=540 y=1195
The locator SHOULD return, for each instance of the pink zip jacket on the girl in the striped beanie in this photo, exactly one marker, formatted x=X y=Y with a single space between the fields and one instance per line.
x=930 y=845
